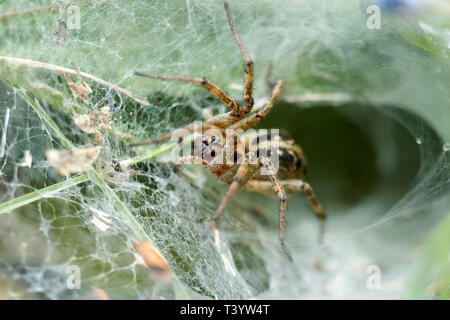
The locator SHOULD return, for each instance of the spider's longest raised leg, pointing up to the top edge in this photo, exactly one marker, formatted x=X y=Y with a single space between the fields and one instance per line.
x=249 y=68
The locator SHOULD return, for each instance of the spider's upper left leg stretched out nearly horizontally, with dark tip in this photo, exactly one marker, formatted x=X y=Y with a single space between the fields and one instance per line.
x=211 y=87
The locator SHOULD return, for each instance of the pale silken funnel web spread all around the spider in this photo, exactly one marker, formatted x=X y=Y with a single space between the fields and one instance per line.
x=385 y=83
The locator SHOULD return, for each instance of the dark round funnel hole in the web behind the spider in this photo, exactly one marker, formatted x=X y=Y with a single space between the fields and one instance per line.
x=355 y=150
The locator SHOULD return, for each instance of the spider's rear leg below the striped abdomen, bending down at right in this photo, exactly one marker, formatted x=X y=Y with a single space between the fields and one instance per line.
x=295 y=185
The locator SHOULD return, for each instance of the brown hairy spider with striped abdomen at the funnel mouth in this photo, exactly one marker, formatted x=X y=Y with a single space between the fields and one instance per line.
x=245 y=149
